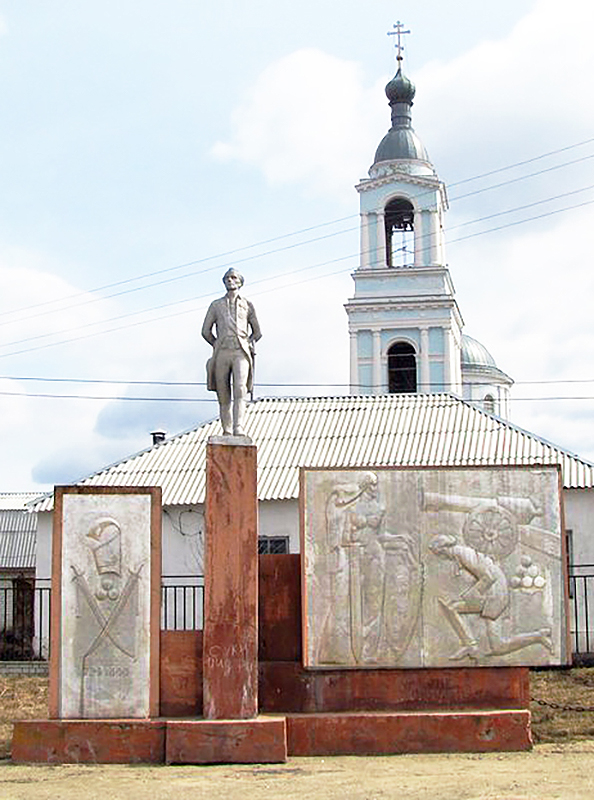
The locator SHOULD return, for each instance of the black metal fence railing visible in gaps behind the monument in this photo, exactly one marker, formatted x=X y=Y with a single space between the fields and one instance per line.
x=25 y=613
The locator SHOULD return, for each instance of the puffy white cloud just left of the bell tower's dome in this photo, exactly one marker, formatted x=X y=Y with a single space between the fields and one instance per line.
x=305 y=120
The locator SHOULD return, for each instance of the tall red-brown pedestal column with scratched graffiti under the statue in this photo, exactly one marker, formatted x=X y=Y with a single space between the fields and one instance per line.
x=230 y=654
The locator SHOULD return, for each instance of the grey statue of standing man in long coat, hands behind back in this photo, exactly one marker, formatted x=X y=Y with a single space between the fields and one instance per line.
x=232 y=360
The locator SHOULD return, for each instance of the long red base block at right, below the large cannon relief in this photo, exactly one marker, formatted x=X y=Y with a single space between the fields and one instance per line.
x=377 y=733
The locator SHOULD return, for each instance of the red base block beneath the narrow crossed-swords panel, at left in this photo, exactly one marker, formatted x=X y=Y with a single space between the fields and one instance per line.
x=114 y=741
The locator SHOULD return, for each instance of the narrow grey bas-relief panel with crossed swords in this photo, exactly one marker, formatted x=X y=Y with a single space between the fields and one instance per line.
x=105 y=637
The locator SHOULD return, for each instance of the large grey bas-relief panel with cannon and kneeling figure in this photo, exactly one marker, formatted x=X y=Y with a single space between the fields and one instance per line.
x=433 y=567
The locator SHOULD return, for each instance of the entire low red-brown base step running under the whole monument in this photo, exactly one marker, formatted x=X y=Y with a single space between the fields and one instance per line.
x=269 y=739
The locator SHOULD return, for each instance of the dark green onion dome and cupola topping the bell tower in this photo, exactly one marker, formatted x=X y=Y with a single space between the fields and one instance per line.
x=401 y=142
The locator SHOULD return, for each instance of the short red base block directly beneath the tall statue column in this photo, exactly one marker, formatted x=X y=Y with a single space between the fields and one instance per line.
x=262 y=740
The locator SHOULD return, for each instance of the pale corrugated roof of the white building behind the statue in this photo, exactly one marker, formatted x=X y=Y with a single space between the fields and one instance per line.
x=347 y=431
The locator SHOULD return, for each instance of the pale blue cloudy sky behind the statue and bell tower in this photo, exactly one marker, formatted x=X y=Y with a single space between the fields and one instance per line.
x=145 y=147
